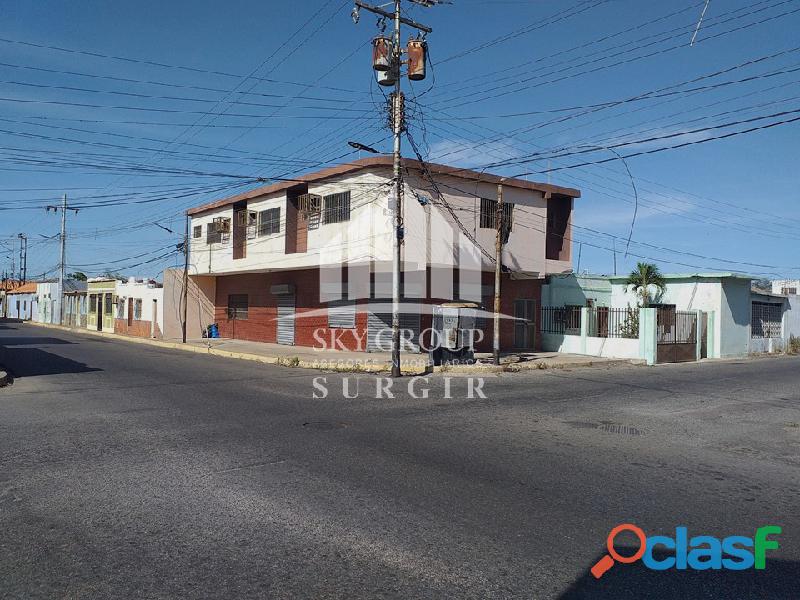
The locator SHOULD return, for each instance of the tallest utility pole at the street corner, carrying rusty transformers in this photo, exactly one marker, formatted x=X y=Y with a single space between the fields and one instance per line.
x=387 y=59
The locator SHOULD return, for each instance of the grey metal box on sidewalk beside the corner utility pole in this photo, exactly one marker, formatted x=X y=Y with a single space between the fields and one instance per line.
x=454 y=338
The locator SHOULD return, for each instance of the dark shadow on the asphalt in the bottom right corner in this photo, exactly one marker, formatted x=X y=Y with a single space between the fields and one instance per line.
x=777 y=582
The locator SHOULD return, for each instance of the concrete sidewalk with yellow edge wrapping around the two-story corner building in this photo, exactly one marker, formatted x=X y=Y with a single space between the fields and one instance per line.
x=369 y=362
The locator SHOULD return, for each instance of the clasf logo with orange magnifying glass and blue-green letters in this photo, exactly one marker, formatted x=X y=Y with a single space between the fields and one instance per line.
x=701 y=552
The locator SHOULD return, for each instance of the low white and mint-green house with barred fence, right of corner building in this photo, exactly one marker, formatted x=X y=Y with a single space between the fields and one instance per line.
x=719 y=313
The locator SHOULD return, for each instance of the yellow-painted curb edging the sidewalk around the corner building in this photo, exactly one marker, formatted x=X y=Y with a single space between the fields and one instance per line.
x=345 y=366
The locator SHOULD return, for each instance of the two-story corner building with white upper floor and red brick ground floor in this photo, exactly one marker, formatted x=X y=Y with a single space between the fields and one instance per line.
x=308 y=261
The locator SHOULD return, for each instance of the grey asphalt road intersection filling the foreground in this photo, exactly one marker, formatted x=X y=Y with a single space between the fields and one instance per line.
x=129 y=471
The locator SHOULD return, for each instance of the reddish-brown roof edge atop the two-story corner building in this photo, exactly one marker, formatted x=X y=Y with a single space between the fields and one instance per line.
x=386 y=161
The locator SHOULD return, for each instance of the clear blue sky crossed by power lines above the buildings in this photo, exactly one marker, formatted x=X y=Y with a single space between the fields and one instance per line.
x=139 y=110
